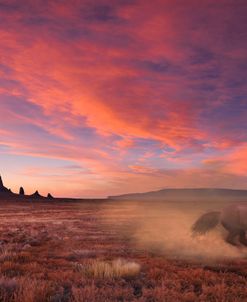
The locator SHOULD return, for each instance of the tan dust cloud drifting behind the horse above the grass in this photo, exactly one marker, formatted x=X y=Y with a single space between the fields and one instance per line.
x=165 y=228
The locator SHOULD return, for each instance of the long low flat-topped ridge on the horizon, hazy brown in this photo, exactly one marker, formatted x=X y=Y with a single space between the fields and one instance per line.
x=189 y=194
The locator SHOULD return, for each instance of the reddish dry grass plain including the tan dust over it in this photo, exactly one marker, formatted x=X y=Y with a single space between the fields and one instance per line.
x=114 y=251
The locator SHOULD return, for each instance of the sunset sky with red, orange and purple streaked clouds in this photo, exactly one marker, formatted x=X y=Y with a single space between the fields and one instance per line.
x=106 y=97
